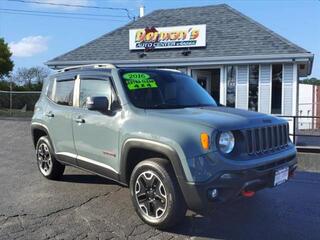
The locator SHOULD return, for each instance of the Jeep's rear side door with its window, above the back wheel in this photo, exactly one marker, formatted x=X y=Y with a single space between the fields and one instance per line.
x=58 y=116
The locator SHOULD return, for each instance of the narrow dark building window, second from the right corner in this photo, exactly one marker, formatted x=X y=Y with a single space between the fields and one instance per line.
x=253 y=87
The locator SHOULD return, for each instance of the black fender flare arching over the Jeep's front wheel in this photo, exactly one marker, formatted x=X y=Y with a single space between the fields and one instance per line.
x=164 y=149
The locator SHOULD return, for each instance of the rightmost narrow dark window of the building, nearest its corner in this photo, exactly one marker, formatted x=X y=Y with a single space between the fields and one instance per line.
x=276 y=96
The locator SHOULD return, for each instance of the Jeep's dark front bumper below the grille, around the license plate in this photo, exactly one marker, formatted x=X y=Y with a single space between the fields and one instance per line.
x=231 y=183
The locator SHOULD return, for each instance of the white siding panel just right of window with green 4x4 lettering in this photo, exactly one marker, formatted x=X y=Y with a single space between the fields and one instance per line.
x=242 y=87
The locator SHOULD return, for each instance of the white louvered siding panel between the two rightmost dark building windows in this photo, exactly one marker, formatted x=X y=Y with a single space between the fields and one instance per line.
x=265 y=88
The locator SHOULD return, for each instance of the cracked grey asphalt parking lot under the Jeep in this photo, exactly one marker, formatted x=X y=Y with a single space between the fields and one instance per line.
x=84 y=206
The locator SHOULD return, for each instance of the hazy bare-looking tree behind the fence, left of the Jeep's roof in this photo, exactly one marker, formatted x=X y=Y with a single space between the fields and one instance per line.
x=29 y=76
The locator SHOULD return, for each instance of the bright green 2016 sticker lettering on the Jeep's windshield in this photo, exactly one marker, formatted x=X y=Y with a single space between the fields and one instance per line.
x=137 y=80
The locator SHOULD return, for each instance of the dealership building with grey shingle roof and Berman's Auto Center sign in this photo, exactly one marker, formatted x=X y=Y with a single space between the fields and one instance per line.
x=240 y=62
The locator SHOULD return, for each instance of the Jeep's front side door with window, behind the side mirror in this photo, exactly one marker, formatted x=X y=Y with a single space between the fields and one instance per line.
x=96 y=133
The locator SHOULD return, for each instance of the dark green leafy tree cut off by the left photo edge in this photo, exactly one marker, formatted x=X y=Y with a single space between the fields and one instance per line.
x=6 y=64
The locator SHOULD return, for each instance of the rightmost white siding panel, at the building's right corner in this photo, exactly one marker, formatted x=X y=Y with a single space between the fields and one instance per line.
x=287 y=98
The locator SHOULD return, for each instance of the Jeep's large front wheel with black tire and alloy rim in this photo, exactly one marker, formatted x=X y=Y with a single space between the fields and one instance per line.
x=155 y=193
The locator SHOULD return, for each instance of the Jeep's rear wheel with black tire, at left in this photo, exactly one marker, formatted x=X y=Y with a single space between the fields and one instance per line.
x=47 y=164
